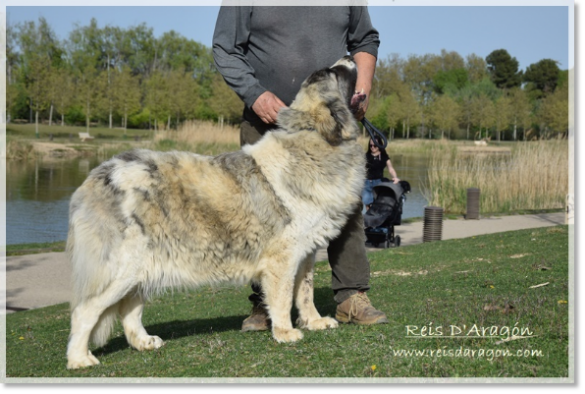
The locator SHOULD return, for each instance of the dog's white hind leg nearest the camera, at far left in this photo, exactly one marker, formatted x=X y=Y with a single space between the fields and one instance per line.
x=85 y=318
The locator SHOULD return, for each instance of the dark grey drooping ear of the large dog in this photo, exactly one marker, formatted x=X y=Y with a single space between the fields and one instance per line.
x=343 y=125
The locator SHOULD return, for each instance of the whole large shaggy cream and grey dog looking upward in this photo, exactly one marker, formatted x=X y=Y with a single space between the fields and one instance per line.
x=145 y=221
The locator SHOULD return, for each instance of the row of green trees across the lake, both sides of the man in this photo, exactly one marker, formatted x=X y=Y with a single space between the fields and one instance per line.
x=130 y=77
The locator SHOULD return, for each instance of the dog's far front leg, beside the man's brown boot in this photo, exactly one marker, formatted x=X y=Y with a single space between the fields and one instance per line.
x=309 y=317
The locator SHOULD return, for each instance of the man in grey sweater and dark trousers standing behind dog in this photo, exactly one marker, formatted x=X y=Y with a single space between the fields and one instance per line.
x=264 y=54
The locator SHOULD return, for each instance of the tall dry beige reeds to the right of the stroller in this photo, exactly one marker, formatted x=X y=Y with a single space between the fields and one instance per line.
x=535 y=175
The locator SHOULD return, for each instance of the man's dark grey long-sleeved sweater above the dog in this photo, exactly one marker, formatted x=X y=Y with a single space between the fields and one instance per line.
x=275 y=48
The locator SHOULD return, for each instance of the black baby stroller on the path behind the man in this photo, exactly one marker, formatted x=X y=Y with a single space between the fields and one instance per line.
x=385 y=213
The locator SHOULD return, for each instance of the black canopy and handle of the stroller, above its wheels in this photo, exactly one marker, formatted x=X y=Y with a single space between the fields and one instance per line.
x=388 y=197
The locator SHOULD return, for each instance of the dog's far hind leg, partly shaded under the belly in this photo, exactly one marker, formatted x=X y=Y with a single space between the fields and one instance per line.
x=131 y=308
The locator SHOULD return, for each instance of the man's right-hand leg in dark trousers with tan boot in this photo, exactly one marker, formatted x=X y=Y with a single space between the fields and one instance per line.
x=351 y=274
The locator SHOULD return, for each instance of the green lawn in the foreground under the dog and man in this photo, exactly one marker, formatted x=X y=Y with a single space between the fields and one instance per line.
x=484 y=281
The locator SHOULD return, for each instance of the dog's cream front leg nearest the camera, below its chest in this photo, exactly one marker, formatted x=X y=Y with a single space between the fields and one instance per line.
x=278 y=285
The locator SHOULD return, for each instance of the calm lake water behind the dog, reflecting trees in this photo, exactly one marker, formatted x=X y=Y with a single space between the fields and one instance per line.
x=38 y=193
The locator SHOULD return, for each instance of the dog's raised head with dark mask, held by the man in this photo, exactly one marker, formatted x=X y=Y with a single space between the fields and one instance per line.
x=324 y=103
